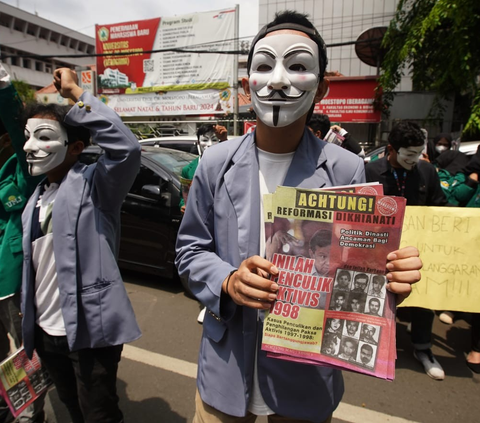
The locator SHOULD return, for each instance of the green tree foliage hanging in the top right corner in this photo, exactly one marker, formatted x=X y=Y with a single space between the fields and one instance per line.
x=438 y=41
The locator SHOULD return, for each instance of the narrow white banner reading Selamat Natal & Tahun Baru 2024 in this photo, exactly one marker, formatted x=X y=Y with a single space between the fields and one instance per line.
x=172 y=103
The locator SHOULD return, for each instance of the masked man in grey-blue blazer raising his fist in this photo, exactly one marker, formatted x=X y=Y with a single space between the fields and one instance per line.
x=70 y=241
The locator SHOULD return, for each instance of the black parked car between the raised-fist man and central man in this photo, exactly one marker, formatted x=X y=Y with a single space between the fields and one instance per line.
x=150 y=215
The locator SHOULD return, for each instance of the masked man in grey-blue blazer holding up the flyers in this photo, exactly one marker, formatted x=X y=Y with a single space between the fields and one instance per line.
x=221 y=243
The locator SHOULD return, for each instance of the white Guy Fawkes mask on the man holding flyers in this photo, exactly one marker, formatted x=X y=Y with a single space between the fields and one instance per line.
x=283 y=78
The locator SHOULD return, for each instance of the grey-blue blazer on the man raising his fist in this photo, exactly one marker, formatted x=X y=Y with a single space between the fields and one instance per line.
x=86 y=231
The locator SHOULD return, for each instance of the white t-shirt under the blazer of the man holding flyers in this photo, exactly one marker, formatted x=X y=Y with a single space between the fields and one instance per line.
x=273 y=169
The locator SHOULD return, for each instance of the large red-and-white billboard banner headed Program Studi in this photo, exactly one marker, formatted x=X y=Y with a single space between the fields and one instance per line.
x=139 y=73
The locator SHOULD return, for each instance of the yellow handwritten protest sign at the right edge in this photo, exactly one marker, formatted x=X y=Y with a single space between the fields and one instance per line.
x=448 y=239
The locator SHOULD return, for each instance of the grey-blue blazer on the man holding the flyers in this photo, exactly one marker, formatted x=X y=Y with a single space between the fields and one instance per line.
x=220 y=229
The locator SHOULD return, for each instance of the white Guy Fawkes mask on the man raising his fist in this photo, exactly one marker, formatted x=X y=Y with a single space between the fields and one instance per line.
x=46 y=145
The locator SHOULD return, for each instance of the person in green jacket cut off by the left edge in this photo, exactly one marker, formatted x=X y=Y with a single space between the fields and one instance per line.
x=16 y=186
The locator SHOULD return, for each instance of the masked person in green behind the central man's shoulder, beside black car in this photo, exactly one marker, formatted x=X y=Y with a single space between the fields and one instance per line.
x=207 y=135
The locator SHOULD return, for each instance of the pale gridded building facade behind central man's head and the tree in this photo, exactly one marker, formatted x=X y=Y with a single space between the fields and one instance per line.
x=343 y=21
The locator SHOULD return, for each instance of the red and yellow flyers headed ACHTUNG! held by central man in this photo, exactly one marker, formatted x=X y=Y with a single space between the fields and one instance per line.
x=332 y=307
